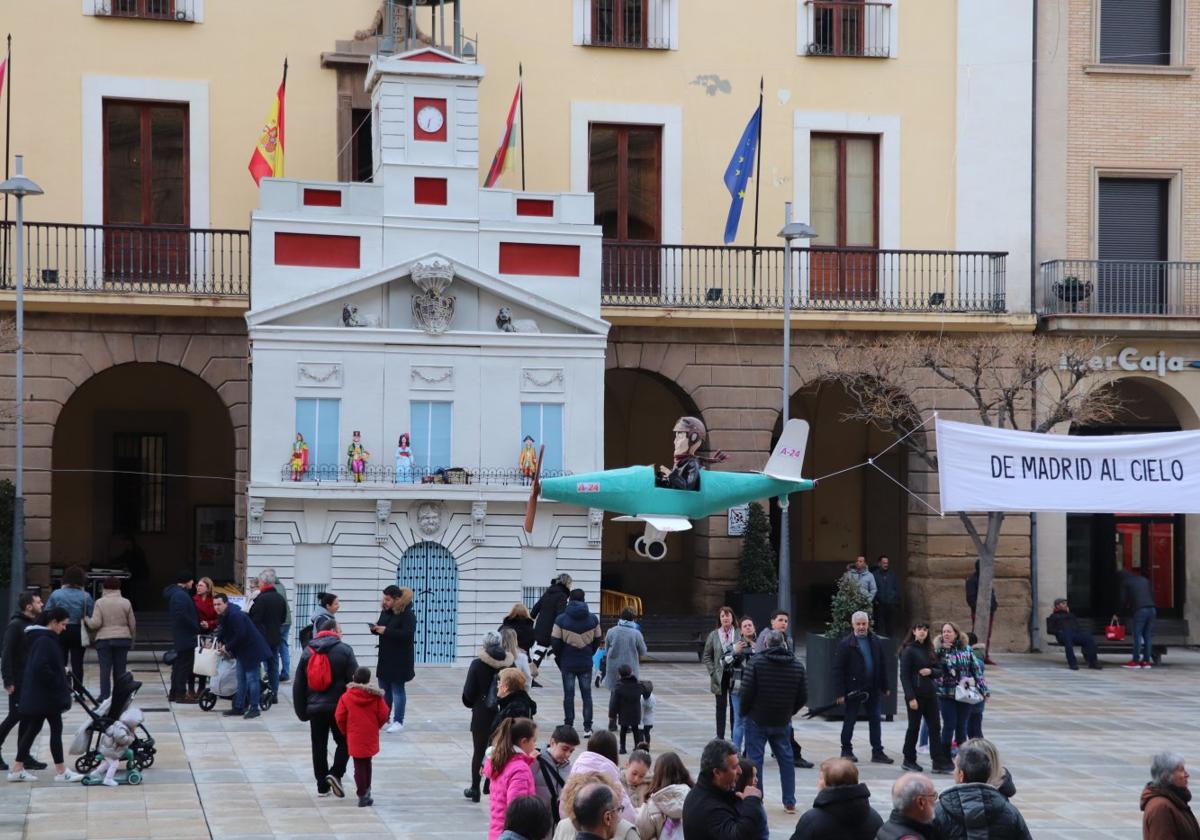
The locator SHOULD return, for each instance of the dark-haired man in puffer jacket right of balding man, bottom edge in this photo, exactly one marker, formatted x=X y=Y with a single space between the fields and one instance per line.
x=975 y=809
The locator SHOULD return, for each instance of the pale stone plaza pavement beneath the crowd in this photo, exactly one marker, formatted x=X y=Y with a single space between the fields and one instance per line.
x=1078 y=746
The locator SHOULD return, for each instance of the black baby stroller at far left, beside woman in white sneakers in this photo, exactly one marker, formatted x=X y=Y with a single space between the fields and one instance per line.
x=115 y=712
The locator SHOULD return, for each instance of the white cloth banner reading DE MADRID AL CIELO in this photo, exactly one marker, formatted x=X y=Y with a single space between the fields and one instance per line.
x=982 y=469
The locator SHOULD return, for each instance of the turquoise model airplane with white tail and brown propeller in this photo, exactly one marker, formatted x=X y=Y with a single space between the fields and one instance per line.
x=634 y=493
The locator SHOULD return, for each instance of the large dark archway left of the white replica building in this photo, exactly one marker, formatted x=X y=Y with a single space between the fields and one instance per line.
x=145 y=479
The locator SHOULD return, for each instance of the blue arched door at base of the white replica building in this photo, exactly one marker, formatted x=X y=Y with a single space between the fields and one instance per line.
x=429 y=569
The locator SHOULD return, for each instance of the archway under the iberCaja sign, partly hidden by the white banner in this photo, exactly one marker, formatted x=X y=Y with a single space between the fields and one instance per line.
x=1100 y=545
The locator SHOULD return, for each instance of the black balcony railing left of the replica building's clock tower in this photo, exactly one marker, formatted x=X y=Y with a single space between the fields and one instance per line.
x=116 y=259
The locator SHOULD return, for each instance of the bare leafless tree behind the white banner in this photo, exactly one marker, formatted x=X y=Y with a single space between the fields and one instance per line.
x=1027 y=382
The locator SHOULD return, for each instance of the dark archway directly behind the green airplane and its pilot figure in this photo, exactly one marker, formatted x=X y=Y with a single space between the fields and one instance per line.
x=640 y=410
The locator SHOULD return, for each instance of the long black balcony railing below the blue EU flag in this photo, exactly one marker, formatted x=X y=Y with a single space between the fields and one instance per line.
x=737 y=278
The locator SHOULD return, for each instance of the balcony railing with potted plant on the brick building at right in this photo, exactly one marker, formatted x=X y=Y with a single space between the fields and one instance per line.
x=1107 y=287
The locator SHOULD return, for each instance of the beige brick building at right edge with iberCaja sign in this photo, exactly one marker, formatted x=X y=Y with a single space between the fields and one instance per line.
x=1117 y=238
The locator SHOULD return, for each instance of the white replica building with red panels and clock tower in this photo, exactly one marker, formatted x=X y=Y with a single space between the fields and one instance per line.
x=415 y=340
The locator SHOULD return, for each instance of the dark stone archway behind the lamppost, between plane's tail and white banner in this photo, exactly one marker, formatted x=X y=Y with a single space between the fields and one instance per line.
x=853 y=513
